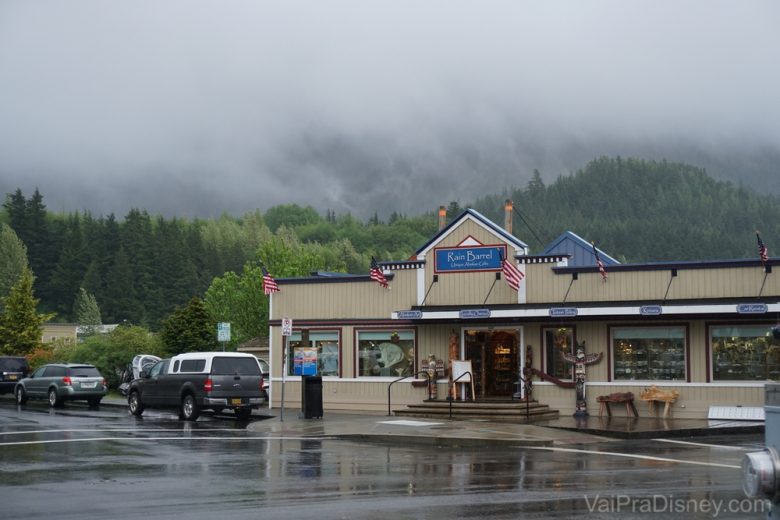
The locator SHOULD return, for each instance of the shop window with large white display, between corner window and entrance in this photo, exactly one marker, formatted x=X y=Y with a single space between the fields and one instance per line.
x=385 y=353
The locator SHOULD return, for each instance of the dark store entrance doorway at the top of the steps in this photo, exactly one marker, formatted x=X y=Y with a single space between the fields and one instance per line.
x=495 y=360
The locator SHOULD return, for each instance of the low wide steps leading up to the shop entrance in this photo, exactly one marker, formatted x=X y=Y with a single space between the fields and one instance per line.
x=492 y=410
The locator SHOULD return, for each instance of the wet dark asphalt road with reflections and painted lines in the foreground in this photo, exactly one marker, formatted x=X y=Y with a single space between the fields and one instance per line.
x=81 y=463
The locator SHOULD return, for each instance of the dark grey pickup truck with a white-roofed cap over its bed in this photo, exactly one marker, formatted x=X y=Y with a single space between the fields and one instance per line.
x=200 y=381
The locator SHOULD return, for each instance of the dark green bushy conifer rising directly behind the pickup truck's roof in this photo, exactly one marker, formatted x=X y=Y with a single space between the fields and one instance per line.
x=189 y=329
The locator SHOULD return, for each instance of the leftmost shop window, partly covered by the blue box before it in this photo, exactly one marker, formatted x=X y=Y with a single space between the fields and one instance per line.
x=313 y=353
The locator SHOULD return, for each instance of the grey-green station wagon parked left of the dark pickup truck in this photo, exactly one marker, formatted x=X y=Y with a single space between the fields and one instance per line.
x=63 y=382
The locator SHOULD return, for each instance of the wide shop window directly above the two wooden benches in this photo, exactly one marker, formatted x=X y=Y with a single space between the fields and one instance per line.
x=649 y=353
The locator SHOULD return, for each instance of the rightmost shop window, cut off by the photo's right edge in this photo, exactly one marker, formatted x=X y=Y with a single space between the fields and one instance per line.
x=744 y=353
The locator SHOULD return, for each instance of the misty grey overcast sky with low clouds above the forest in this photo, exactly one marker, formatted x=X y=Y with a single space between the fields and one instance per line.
x=195 y=108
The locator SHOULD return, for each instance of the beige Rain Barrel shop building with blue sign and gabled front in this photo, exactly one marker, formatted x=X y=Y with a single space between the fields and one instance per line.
x=703 y=329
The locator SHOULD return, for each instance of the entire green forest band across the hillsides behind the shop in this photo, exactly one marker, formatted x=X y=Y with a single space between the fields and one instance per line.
x=141 y=268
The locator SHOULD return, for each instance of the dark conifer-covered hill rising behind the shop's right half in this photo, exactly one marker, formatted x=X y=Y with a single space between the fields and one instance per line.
x=644 y=211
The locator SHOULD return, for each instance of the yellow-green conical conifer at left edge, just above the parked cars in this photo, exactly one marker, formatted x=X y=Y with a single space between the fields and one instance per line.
x=20 y=324
